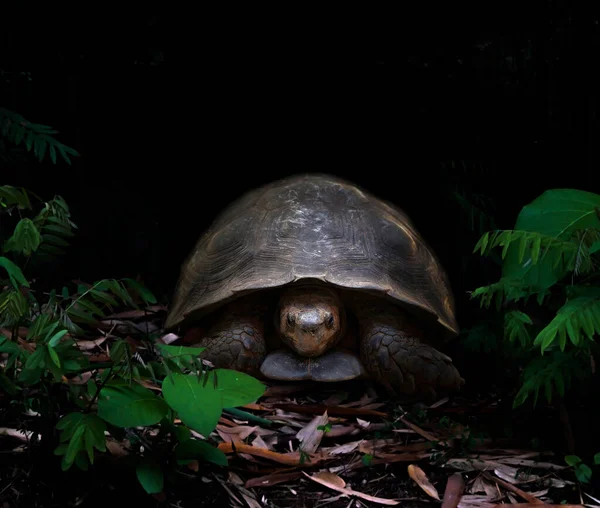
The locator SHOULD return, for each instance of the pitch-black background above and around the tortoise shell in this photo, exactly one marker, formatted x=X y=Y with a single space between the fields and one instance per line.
x=175 y=115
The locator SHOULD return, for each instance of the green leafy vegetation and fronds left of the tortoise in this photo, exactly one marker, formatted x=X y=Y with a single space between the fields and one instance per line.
x=46 y=372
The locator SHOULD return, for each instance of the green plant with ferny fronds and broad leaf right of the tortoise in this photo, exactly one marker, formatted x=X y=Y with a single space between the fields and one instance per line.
x=550 y=258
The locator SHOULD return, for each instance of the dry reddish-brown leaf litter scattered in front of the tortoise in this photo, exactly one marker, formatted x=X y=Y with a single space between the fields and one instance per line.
x=339 y=444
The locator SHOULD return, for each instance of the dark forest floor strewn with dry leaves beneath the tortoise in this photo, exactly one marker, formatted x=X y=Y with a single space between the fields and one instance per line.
x=307 y=445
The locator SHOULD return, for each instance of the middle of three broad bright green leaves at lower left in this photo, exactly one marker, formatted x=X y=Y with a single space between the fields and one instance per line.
x=198 y=404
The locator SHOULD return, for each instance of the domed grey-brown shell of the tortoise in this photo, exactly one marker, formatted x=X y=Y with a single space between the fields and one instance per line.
x=316 y=227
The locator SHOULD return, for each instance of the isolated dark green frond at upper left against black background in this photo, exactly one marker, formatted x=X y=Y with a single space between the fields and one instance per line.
x=35 y=137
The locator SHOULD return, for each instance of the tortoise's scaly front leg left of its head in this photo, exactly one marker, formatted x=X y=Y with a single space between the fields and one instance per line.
x=236 y=338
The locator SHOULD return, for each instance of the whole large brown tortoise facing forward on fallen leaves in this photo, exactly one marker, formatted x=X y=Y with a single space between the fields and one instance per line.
x=312 y=278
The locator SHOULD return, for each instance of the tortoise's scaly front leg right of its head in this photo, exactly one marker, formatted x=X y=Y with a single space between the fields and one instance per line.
x=395 y=355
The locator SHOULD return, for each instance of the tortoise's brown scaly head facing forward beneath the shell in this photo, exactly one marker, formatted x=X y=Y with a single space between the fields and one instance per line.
x=310 y=319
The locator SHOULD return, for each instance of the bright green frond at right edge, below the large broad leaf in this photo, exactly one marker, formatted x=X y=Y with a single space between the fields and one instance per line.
x=576 y=320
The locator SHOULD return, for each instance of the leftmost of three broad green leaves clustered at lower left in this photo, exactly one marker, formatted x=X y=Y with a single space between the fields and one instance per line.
x=124 y=405
